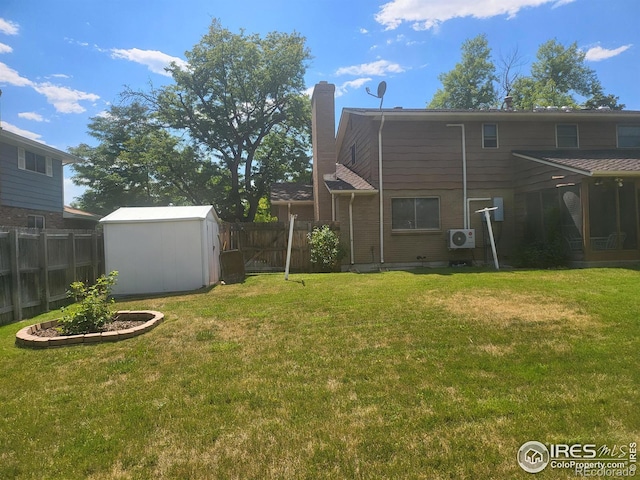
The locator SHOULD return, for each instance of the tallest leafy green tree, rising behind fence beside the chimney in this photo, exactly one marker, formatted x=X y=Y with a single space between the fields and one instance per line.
x=241 y=99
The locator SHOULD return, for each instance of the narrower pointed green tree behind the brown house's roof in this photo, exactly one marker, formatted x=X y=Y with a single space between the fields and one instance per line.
x=471 y=83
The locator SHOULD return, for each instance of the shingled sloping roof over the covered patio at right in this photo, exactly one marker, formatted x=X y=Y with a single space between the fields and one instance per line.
x=588 y=162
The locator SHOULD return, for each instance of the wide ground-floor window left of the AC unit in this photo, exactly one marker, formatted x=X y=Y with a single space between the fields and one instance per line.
x=415 y=213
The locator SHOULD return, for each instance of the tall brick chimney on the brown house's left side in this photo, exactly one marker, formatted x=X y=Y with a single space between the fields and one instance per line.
x=323 y=138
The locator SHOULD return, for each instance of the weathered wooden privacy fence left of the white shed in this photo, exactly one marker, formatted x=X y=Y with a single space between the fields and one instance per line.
x=37 y=267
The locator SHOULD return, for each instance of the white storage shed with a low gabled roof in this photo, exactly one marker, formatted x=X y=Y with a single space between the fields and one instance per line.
x=162 y=249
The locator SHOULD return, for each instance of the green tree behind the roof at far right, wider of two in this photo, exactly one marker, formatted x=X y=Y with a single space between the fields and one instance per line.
x=560 y=77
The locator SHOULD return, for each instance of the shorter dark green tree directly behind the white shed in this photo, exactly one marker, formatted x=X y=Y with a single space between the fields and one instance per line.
x=137 y=163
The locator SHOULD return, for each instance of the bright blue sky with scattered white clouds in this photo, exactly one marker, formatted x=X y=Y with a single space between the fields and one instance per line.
x=65 y=61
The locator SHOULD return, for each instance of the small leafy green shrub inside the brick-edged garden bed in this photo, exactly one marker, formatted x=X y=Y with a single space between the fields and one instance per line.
x=94 y=308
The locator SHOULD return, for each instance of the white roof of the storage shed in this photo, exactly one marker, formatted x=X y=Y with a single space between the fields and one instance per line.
x=159 y=214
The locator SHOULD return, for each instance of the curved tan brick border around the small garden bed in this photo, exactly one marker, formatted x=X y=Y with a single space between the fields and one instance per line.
x=24 y=337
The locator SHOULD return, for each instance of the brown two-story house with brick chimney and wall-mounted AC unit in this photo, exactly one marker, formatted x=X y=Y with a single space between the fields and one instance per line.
x=405 y=183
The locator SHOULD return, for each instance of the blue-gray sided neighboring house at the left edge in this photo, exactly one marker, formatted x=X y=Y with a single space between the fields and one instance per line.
x=31 y=183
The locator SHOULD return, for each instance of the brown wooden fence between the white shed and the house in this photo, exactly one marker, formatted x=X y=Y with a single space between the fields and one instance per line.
x=264 y=245
